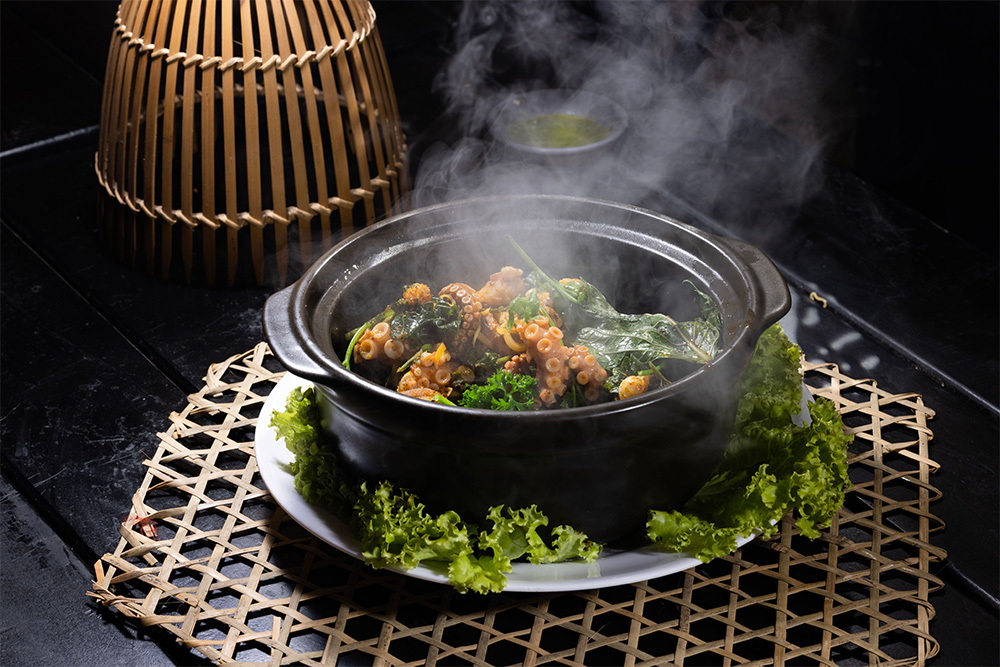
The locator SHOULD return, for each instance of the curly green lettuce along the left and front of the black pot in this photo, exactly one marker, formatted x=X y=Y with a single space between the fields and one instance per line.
x=396 y=530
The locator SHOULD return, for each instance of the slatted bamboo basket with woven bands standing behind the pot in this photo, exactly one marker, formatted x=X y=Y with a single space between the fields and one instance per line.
x=241 y=139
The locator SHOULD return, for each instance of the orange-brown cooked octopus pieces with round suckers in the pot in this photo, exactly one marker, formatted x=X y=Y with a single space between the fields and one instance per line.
x=478 y=334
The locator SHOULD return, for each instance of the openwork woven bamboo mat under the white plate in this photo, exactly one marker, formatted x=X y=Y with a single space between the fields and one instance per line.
x=207 y=556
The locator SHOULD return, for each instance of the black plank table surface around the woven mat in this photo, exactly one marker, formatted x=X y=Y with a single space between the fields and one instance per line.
x=95 y=355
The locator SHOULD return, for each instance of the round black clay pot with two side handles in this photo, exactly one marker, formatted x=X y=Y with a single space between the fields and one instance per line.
x=598 y=468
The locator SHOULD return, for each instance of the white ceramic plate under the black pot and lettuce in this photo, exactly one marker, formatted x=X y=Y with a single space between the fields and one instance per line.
x=610 y=569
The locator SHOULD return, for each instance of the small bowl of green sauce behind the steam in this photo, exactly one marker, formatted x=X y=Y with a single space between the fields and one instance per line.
x=558 y=122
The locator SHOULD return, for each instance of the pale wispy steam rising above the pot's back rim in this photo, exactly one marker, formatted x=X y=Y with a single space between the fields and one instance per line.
x=728 y=103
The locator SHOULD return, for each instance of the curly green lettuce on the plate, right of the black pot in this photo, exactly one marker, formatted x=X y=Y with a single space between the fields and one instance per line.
x=772 y=466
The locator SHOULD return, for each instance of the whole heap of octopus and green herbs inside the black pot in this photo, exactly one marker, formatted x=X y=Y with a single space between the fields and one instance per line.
x=524 y=342
